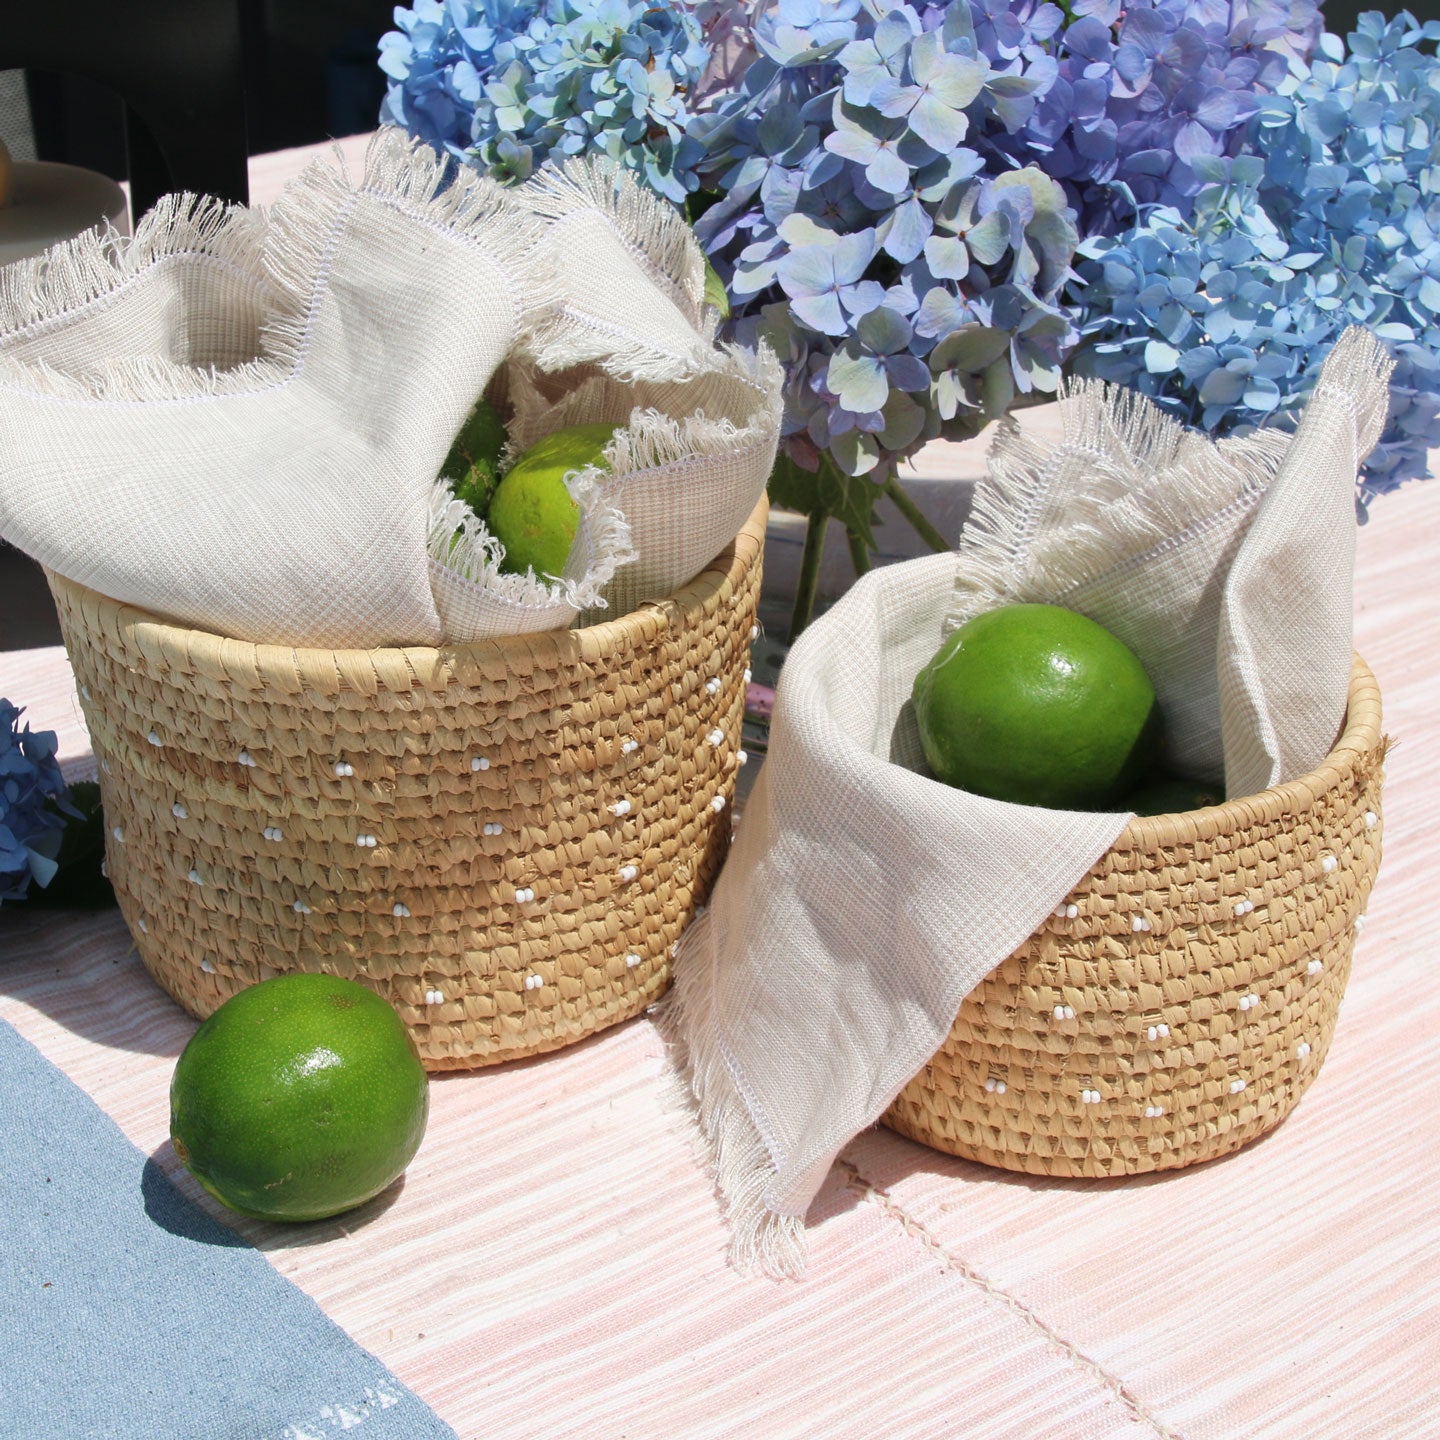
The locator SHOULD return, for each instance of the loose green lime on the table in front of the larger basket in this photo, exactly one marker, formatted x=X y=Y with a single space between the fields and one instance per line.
x=299 y=1098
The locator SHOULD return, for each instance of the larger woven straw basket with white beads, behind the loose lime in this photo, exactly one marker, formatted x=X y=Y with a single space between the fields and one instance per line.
x=505 y=839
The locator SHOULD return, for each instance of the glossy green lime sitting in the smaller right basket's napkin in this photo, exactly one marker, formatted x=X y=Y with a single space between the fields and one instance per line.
x=1039 y=706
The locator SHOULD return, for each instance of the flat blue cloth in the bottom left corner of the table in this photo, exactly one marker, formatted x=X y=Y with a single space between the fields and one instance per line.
x=129 y=1314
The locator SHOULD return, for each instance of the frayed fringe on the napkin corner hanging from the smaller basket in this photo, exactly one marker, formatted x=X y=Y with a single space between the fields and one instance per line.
x=699 y=1086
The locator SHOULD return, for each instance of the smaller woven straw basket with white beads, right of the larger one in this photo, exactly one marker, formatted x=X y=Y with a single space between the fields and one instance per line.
x=1186 y=994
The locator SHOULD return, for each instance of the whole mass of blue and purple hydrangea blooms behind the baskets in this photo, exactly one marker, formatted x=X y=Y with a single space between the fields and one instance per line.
x=894 y=191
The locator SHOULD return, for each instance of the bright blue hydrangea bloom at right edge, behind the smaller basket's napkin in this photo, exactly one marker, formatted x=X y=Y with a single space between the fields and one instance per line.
x=1330 y=218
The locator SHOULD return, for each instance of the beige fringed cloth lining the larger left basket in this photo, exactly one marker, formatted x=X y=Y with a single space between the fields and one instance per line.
x=238 y=420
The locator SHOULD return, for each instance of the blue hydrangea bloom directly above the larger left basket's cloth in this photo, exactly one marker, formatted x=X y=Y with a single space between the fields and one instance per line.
x=505 y=84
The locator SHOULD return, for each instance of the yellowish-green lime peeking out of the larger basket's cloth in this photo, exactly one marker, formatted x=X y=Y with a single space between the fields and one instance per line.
x=534 y=515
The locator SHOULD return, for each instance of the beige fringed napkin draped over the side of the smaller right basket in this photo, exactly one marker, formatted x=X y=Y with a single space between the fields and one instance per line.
x=863 y=901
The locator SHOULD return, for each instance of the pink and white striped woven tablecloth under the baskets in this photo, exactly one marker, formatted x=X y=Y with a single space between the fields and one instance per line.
x=554 y=1264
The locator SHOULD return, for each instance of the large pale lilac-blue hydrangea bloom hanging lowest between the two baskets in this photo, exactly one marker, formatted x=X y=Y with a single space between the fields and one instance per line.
x=908 y=290
